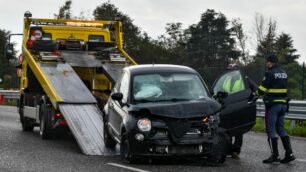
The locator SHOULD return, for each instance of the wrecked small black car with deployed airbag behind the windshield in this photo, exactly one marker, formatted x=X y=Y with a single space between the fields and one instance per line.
x=166 y=110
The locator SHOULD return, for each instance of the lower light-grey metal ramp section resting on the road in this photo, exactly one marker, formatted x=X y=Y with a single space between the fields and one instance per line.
x=86 y=124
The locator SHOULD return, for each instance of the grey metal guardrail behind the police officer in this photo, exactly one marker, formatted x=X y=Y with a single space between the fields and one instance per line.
x=297 y=110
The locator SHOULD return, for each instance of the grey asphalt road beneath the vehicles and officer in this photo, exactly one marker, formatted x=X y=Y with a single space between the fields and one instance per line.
x=25 y=151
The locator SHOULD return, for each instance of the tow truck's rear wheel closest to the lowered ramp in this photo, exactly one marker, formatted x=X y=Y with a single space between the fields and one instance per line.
x=44 y=124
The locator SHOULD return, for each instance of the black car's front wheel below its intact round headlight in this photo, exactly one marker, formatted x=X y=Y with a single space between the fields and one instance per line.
x=125 y=151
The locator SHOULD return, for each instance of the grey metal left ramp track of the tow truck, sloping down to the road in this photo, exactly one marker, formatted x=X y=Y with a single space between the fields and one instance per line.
x=78 y=106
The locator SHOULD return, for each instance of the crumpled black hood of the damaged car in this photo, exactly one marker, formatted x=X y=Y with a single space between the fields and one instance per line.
x=179 y=109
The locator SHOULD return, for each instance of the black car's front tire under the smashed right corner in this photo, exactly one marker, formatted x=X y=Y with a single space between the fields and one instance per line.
x=219 y=149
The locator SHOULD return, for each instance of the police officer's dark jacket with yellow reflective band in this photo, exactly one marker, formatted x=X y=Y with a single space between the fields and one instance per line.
x=274 y=86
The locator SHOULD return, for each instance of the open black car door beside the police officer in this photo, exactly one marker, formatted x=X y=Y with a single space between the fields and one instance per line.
x=238 y=115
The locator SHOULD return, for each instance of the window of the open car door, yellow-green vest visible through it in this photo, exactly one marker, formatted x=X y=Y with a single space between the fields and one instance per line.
x=231 y=82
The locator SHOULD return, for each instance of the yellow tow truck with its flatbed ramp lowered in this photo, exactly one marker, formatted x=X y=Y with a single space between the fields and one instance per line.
x=67 y=70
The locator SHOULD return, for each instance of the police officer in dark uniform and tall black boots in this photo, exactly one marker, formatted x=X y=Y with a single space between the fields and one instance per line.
x=274 y=91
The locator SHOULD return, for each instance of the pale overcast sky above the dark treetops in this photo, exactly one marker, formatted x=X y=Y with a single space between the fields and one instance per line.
x=152 y=15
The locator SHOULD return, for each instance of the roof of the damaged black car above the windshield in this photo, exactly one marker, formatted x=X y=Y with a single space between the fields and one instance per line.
x=153 y=68
